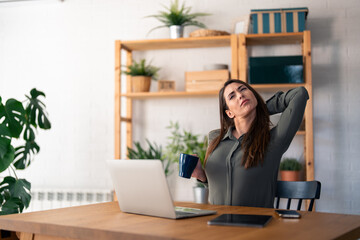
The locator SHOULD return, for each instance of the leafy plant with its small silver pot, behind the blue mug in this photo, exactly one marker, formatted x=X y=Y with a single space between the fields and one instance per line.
x=186 y=142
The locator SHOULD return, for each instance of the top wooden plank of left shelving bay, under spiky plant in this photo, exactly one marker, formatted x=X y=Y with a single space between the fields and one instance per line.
x=196 y=42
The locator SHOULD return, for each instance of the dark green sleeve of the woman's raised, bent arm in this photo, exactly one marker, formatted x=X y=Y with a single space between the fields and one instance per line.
x=292 y=106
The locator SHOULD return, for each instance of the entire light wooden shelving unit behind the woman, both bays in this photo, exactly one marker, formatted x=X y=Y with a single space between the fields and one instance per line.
x=239 y=64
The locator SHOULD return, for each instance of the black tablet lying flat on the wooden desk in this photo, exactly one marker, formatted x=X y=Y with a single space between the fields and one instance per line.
x=241 y=220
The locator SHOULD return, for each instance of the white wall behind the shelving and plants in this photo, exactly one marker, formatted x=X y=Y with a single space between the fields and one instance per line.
x=66 y=49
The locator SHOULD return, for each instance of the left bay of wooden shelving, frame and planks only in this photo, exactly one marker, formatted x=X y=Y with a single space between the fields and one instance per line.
x=159 y=44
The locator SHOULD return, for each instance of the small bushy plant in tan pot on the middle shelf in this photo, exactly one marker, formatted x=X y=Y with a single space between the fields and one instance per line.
x=141 y=75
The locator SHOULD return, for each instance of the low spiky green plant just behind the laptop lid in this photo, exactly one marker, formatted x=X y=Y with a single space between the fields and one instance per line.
x=153 y=152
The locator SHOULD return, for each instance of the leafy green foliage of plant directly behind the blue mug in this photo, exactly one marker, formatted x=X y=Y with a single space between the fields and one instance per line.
x=184 y=142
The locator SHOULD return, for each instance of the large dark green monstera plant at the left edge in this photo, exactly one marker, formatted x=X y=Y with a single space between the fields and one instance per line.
x=19 y=120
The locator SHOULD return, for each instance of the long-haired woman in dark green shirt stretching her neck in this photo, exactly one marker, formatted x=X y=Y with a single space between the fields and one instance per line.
x=242 y=160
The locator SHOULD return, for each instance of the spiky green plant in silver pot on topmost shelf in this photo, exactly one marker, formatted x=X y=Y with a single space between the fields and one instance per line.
x=177 y=18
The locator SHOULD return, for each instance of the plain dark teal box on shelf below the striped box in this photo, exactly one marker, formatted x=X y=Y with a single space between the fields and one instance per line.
x=279 y=69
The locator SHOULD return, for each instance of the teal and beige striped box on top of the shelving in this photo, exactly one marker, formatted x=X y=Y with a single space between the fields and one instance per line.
x=278 y=20
